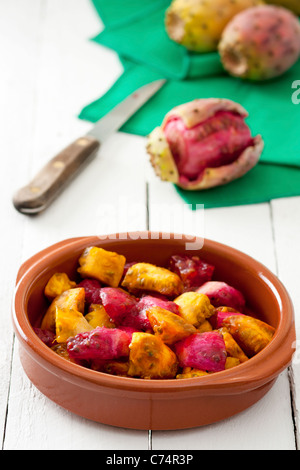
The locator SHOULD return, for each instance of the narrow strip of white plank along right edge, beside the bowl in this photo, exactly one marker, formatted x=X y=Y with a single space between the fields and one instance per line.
x=286 y=235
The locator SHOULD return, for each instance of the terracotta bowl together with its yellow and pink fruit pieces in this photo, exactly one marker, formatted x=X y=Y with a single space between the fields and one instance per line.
x=142 y=332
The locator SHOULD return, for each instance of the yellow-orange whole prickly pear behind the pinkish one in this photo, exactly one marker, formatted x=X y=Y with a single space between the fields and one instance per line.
x=198 y=24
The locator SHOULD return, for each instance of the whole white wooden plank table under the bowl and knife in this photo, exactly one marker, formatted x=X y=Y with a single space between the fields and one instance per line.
x=50 y=70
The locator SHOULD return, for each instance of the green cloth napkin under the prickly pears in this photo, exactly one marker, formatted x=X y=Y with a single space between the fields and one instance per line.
x=136 y=31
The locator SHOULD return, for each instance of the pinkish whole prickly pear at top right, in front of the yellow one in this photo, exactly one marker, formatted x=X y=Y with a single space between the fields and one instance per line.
x=261 y=43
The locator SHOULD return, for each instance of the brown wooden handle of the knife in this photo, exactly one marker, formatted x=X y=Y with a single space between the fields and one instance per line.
x=51 y=180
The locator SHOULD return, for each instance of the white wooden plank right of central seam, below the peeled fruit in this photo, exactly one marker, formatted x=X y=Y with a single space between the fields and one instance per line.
x=249 y=229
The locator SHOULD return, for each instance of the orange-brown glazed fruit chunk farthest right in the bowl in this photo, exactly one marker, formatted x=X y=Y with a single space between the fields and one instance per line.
x=251 y=334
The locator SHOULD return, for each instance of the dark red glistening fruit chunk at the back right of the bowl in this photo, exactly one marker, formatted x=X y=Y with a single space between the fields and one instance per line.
x=193 y=271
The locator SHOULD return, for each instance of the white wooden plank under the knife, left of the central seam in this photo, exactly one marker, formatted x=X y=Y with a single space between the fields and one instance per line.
x=101 y=200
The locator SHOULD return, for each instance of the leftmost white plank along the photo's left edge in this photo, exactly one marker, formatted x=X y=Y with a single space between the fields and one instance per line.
x=18 y=47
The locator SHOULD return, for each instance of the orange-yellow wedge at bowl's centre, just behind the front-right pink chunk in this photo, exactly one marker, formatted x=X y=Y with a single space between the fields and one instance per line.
x=169 y=326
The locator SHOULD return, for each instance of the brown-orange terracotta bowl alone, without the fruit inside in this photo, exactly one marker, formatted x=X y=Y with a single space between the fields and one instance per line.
x=153 y=404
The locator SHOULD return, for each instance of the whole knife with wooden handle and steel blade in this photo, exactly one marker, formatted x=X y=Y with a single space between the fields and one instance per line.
x=58 y=172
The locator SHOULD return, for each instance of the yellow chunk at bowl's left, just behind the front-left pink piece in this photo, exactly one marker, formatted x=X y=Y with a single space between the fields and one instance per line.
x=69 y=323
